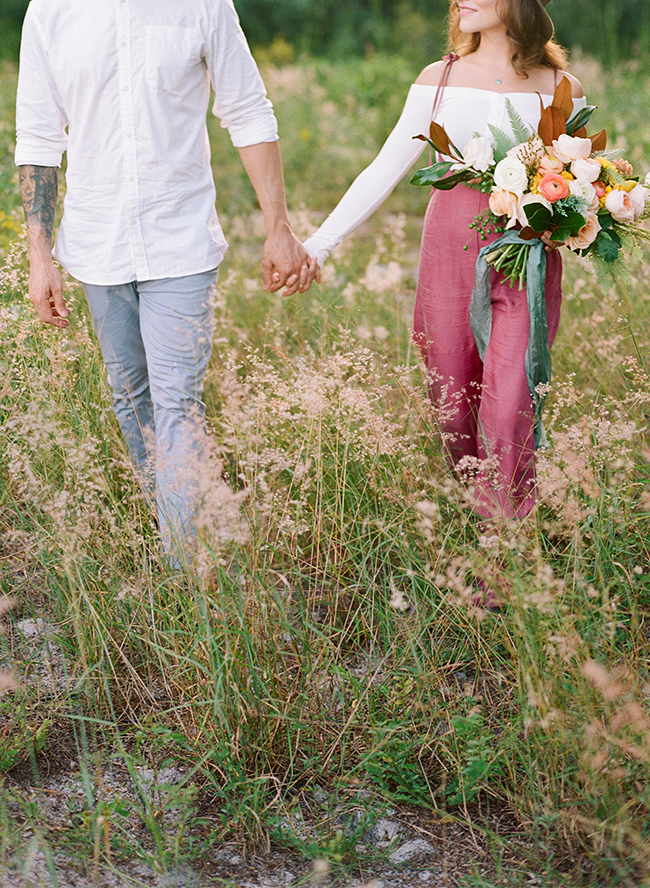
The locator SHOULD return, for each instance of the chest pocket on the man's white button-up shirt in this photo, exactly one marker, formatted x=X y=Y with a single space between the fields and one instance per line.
x=172 y=58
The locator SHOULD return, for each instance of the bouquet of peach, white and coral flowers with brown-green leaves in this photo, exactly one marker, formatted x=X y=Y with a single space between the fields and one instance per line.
x=558 y=182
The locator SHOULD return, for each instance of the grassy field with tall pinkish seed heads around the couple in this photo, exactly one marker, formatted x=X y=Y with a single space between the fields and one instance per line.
x=324 y=640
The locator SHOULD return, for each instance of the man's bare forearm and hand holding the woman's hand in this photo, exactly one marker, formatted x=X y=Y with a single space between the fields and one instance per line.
x=285 y=262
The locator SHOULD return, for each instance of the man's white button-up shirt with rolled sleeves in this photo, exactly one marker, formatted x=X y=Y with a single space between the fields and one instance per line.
x=124 y=86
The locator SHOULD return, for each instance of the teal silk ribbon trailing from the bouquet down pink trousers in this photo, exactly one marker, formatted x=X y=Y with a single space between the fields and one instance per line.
x=538 y=354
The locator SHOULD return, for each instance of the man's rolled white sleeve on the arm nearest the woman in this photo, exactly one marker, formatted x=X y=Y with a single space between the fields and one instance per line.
x=241 y=101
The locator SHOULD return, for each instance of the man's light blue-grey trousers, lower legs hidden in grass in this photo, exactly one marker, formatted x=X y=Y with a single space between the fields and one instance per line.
x=156 y=341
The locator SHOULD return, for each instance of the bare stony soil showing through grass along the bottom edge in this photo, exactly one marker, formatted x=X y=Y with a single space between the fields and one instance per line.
x=390 y=847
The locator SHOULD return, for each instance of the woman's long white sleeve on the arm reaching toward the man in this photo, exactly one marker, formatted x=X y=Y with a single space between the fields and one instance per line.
x=371 y=187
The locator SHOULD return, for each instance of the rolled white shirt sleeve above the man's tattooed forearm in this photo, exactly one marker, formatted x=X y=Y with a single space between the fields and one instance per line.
x=41 y=121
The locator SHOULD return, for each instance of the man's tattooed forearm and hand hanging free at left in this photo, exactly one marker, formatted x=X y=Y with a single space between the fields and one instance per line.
x=39 y=187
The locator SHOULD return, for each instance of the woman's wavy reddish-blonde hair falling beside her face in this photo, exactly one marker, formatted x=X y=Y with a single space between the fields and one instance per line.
x=526 y=25
